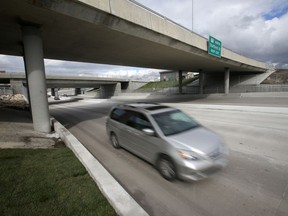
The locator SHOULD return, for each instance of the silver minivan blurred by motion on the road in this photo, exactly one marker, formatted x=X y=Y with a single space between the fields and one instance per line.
x=177 y=145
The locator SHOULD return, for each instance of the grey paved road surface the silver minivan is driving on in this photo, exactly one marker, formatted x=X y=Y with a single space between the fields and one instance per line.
x=254 y=183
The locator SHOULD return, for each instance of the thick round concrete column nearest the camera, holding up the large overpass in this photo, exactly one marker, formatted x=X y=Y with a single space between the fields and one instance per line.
x=35 y=70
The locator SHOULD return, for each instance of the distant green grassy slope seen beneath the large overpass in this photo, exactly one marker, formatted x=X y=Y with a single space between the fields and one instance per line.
x=166 y=84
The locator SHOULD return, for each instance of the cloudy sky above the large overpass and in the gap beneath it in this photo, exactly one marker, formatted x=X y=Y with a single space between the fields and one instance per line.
x=254 y=28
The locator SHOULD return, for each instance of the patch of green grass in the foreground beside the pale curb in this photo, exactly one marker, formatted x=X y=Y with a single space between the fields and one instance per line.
x=47 y=182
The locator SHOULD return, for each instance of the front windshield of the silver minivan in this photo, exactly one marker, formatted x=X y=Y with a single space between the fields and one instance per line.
x=173 y=122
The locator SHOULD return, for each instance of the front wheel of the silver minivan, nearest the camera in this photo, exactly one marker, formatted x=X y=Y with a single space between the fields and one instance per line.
x=167 y=168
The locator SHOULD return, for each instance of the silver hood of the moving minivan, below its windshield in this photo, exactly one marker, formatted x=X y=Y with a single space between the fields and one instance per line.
x=199 y=140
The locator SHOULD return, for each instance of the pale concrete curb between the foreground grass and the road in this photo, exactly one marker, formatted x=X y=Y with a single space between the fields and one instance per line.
x=119 y=199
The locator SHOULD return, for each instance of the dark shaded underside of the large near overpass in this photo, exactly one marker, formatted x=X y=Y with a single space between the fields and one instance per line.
x=76 y=32
